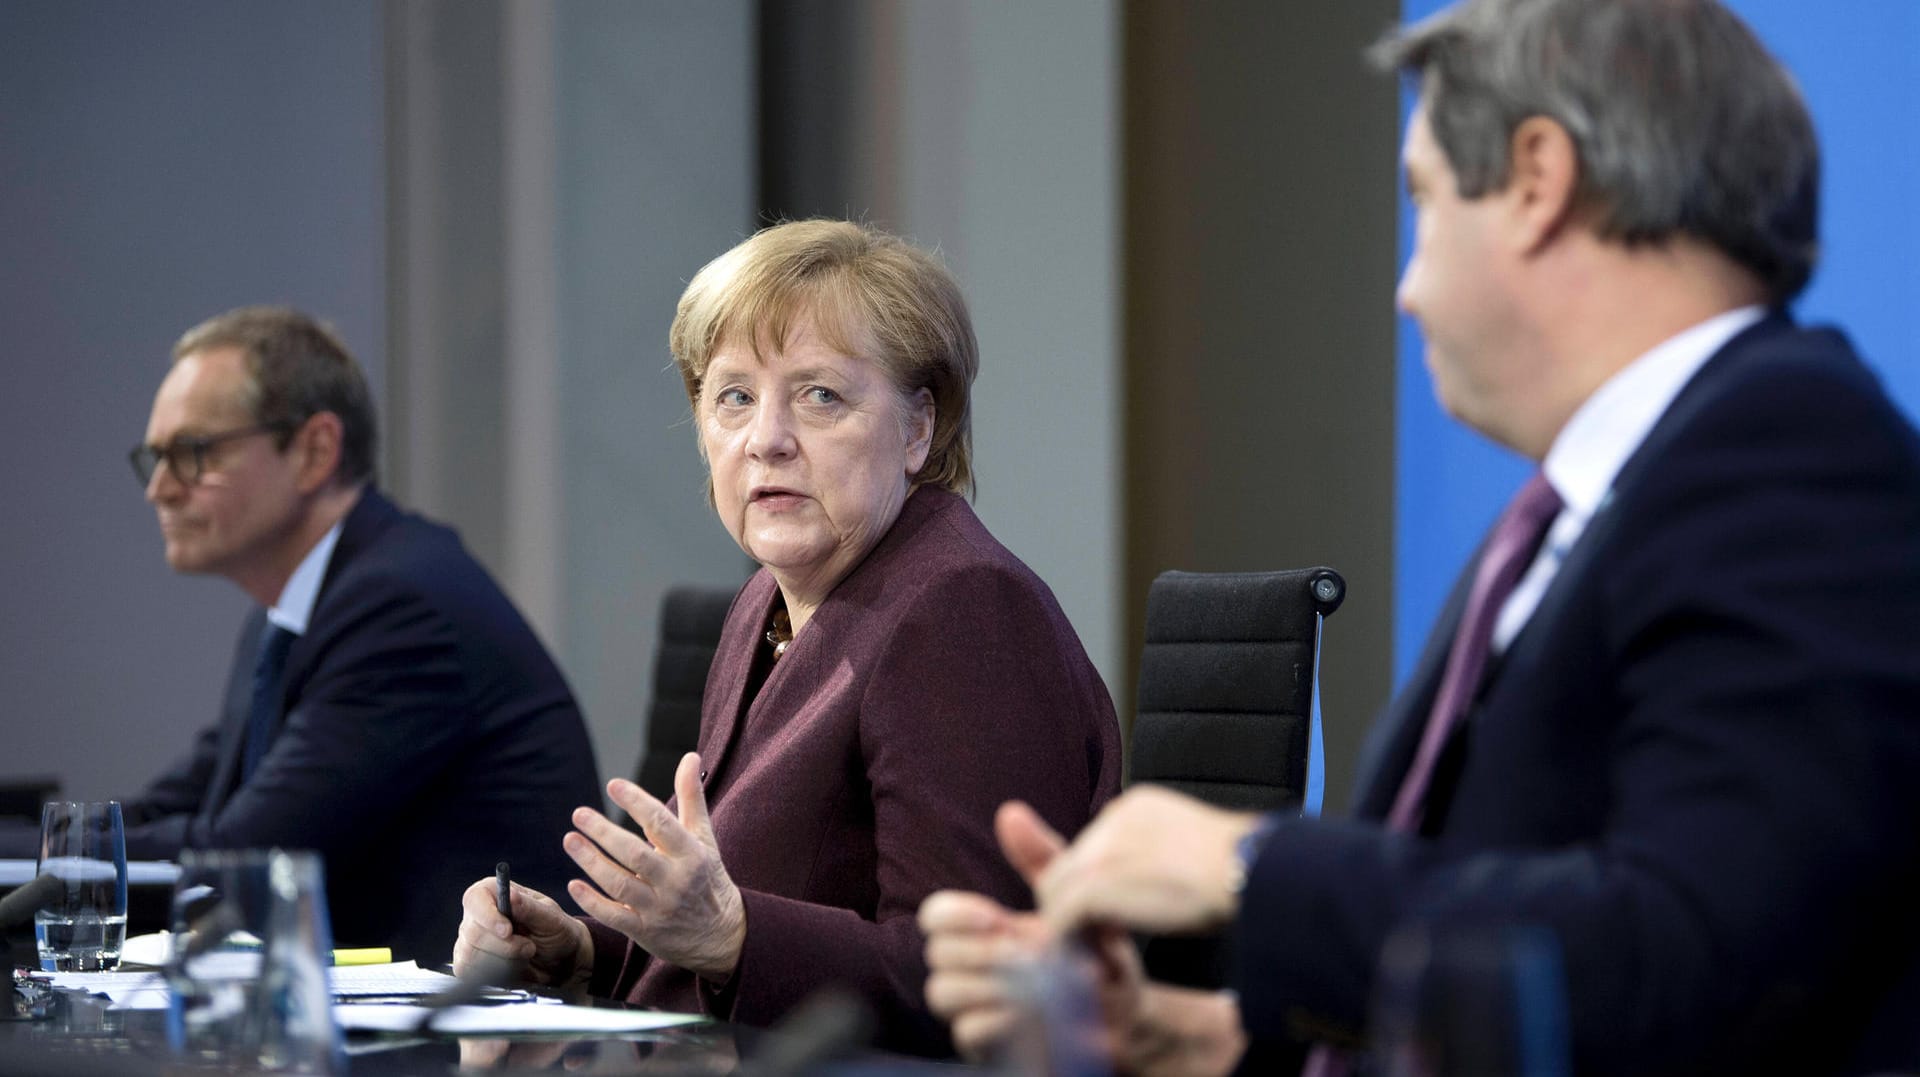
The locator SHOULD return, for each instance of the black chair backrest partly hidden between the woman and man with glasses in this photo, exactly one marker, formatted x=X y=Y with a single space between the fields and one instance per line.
x=690 y=633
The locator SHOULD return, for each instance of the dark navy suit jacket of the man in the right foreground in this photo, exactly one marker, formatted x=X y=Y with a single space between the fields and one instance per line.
x=1698 y=763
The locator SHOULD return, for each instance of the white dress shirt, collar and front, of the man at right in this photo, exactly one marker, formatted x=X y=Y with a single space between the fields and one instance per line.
x=1596 y=443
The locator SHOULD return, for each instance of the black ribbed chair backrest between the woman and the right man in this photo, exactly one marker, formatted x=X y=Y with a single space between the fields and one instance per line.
x=1228 y=684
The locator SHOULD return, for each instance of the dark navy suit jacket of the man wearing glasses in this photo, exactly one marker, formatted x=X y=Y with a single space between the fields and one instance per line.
x=425 y=738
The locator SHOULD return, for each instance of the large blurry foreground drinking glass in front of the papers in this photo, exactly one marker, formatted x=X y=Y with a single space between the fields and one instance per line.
x=249 y=984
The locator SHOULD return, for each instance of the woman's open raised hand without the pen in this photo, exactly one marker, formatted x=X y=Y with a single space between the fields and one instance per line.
x=667 y=892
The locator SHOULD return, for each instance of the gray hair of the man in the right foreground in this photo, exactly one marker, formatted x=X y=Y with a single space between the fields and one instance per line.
x=1683 y=122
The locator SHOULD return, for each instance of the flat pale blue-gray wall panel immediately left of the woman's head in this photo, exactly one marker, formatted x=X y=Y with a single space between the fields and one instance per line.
x=656 y=162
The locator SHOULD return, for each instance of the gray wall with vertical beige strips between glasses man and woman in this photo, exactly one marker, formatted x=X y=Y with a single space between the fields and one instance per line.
x=562 y=170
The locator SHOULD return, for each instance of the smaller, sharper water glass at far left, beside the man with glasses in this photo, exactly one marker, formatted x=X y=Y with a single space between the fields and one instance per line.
x=84 y=846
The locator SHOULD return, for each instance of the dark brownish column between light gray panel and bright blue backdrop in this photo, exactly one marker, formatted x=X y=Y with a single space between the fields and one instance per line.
x=1259 y=316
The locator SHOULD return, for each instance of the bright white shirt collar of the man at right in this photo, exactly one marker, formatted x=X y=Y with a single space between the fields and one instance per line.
x=1606 y=431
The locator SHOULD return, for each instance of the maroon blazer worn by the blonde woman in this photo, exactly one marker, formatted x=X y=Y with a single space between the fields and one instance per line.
x=938 y=681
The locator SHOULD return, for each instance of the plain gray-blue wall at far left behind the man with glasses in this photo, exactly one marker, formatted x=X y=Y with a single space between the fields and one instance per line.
x=158 y=164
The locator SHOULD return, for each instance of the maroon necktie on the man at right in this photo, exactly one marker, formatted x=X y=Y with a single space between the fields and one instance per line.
x=1510 y=550
